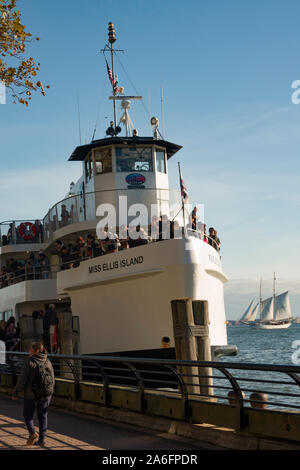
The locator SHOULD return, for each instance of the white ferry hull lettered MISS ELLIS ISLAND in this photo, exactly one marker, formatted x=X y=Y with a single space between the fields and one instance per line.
x=123 y=300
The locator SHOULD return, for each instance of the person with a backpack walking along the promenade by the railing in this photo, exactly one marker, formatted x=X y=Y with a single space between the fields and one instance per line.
x=37 y=381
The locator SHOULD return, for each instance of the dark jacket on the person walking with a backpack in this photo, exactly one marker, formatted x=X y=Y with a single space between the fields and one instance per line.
x=27 y=375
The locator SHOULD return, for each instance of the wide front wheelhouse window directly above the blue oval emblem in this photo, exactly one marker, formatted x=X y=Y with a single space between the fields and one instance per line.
x=134 y=159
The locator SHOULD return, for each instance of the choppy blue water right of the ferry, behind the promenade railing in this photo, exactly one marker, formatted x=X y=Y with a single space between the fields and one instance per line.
x=265 y=347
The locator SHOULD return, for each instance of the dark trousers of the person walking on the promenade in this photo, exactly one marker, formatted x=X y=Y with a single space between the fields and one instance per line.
x=42 y=412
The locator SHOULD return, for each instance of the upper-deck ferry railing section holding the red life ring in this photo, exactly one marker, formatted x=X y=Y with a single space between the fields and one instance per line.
x=21 y=232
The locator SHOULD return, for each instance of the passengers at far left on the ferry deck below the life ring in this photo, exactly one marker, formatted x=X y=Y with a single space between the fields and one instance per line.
x=17 y=270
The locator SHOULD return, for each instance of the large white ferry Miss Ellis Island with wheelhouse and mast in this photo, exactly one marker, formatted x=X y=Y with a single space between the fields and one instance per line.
x=123 y=297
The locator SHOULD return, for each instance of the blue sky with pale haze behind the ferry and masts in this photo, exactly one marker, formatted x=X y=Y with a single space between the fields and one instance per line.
x=226 y=69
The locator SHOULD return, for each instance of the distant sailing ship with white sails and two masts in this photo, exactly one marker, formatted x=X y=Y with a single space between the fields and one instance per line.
x=274 y=312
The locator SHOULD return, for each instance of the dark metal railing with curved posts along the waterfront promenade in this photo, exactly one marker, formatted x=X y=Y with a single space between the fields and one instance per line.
x=239 y=386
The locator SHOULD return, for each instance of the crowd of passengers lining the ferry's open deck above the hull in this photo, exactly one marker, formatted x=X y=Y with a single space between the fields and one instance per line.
x=107 y=242
